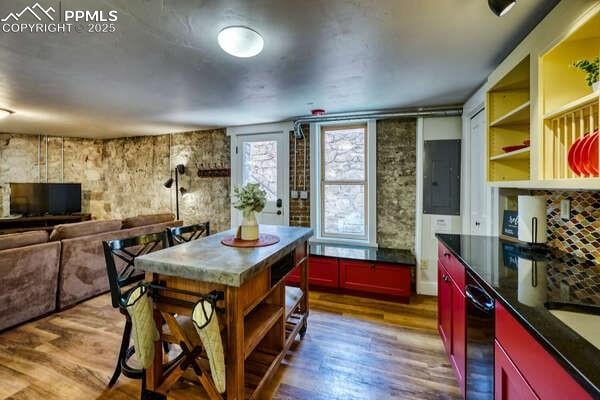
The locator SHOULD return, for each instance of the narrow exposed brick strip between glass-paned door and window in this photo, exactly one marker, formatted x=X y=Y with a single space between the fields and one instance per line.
x=300 y=209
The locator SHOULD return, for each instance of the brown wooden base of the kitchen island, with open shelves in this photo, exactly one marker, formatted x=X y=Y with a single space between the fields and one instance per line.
x=259 y=321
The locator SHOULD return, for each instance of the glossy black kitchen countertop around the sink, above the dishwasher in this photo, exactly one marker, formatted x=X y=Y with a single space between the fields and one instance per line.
x=563 y=280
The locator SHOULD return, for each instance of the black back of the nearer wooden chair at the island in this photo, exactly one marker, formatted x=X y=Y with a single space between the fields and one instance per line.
x=120 y=255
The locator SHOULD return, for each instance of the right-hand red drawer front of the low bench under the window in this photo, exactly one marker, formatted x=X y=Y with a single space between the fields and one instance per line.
x=378 y=278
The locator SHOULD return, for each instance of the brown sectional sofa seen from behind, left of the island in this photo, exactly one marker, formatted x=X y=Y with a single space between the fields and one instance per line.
x=40 y=273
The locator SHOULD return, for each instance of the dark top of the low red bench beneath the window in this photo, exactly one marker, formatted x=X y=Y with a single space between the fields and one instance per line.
x=363 y=253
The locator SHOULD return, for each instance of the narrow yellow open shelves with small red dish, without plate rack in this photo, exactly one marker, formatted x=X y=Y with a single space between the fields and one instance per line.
x=508 y=113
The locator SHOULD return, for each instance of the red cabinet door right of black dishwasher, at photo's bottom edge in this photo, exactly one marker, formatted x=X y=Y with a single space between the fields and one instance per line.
x=509 y=384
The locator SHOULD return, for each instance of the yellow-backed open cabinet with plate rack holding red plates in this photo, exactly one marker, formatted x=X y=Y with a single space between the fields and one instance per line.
x=570 y=109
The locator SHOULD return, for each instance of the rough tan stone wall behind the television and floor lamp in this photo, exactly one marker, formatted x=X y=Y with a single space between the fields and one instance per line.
x=124 y=177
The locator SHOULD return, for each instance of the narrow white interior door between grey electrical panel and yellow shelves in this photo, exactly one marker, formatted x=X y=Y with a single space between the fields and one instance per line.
x=478 y=185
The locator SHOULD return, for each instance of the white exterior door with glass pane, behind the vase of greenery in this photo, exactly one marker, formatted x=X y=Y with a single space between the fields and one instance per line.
x=261 y=159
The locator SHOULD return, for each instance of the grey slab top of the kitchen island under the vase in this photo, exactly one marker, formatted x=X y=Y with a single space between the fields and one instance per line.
x=208 y=260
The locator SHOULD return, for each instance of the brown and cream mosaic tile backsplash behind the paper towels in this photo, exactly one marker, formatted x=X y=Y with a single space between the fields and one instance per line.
x=579 y=236
